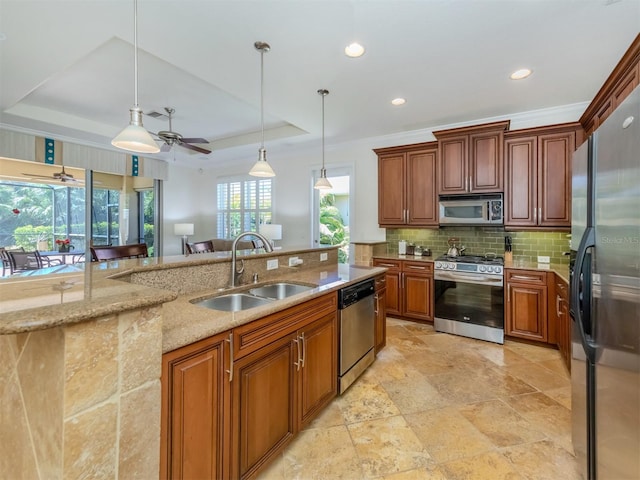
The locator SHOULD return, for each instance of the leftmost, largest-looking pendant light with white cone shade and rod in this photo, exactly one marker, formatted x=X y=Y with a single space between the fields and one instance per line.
x=134 y=137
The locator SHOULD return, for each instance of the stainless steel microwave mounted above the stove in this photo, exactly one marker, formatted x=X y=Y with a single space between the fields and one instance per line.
x=471 y=209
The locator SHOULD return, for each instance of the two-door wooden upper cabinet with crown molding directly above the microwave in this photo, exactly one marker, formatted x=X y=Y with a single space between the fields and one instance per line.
x=470 y=159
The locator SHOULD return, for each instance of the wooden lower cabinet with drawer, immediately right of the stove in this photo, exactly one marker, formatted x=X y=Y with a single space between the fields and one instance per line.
x=526 y=304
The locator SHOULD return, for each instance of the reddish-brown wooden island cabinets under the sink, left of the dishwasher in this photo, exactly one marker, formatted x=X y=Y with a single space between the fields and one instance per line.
x=232 y=402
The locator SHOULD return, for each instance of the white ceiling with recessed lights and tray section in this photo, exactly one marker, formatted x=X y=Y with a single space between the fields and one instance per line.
x=66 y=66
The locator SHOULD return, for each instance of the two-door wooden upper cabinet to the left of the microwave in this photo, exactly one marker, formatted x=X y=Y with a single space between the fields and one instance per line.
x=407 y=185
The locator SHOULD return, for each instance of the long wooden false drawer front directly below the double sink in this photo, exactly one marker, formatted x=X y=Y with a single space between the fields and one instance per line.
x=254 y=335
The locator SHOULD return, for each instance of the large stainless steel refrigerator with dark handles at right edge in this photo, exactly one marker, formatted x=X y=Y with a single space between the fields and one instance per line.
x=605 y=297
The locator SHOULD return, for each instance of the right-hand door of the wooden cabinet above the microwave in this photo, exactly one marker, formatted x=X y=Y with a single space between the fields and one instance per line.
x=485 y=162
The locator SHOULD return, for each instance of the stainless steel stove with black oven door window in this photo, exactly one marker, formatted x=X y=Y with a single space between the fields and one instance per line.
x=469 y=296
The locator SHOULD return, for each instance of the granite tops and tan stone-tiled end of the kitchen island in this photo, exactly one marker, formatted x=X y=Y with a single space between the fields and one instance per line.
x=81 y=353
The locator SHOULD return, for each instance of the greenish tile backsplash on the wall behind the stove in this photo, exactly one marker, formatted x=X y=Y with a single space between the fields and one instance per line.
x=481 y=240
